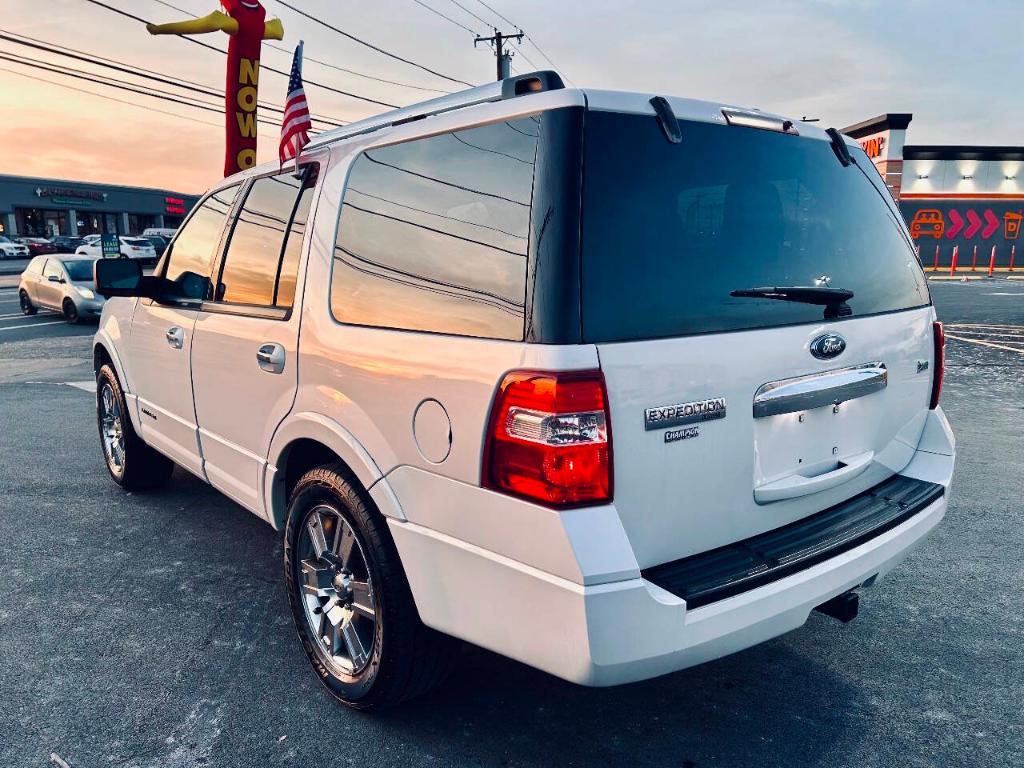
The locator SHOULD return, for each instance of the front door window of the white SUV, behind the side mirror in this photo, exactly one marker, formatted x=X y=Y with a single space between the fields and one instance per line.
x=194 y=249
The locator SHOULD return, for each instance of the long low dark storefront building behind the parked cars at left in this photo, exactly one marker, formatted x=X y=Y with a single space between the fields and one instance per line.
x=42 y=207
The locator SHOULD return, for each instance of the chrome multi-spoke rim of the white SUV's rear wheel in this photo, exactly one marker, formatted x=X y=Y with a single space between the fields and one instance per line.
x=337 y=592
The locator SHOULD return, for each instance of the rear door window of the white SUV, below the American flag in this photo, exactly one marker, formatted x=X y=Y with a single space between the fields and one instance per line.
x=258 y=245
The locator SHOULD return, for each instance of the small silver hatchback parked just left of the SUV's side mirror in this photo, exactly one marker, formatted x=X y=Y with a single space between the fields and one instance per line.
x=63 y=284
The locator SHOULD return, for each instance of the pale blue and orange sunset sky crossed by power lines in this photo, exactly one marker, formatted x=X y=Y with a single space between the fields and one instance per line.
x=957 y=67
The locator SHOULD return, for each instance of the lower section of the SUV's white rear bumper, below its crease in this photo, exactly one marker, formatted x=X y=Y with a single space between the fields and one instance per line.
x=625 y=631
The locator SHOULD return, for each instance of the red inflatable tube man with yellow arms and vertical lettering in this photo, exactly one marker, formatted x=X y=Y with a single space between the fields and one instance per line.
x=245 y=24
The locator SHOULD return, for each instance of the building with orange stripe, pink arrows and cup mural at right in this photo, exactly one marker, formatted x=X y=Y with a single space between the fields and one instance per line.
x=968 y=200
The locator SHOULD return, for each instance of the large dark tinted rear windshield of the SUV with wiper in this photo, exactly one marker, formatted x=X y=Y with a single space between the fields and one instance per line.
x=669 y=231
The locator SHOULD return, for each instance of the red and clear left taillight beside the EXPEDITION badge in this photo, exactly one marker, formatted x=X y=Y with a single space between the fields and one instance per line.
x=549 y=439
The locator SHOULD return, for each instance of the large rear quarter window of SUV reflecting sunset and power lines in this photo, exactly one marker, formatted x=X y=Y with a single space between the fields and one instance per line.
x=434 y=234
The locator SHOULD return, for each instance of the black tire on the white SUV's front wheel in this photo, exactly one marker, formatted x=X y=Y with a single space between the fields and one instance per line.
x=141 y=467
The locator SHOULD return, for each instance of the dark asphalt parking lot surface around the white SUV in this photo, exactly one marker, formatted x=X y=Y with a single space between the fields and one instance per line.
x=154 y=630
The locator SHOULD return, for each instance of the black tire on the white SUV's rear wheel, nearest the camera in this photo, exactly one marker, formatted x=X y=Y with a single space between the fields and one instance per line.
x=407 y=659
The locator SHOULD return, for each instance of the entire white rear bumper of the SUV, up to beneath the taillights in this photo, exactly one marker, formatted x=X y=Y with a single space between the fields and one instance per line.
x=602 y=623
